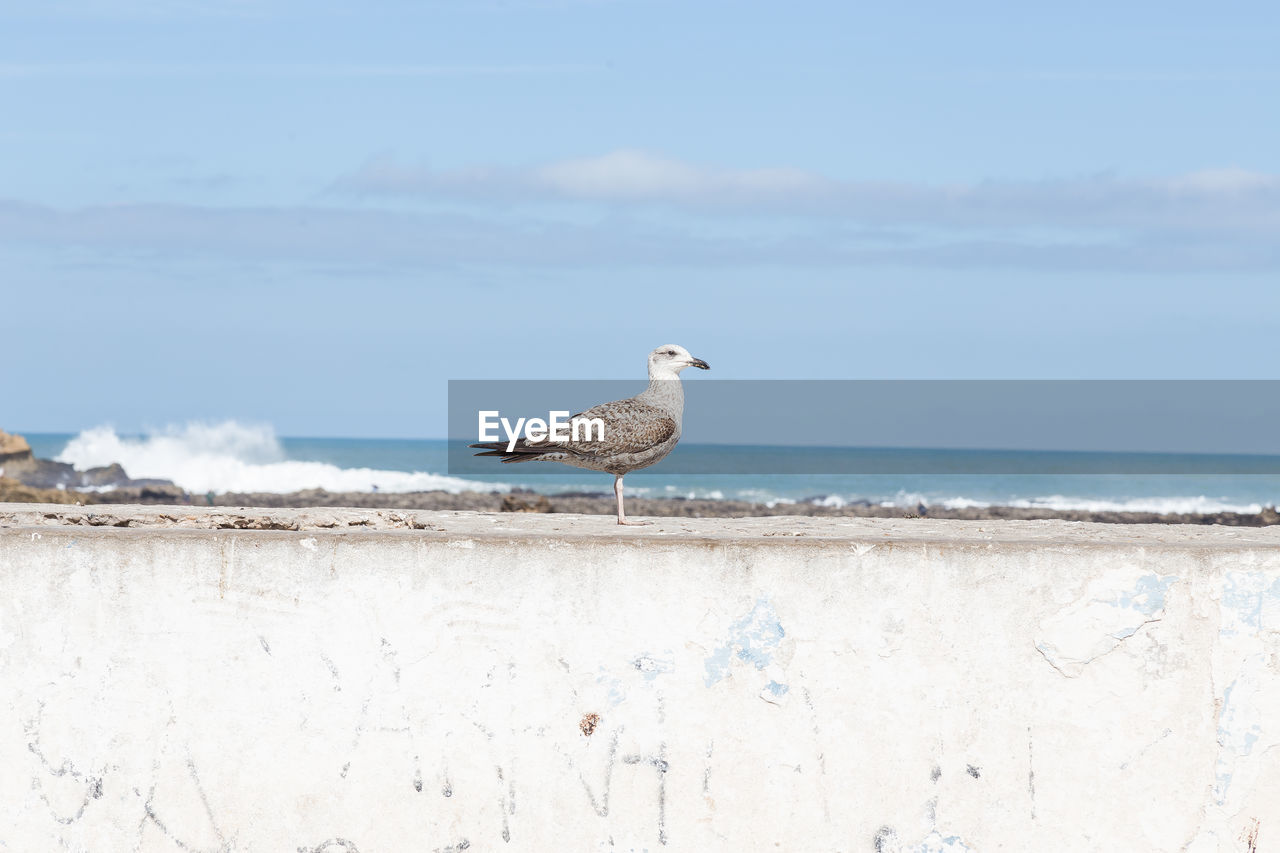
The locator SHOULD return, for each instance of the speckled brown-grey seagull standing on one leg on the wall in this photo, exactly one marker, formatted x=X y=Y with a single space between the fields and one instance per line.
x=638 y=431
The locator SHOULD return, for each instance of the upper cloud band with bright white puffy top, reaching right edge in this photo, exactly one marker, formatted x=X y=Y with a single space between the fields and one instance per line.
x=1213 y=200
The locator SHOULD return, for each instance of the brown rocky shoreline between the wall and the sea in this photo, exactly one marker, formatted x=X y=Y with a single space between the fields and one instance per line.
x=26 y=480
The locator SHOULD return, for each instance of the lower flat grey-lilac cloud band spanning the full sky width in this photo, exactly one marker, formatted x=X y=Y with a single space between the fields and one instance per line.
x=359 y=236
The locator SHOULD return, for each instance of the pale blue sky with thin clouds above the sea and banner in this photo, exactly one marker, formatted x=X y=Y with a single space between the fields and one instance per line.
x=313 y=215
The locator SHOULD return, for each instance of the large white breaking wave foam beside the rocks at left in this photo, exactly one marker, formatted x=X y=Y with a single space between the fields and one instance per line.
x=240 y=458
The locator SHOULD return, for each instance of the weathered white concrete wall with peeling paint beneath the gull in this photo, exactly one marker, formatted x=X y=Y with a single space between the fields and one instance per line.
x=426 y=683
